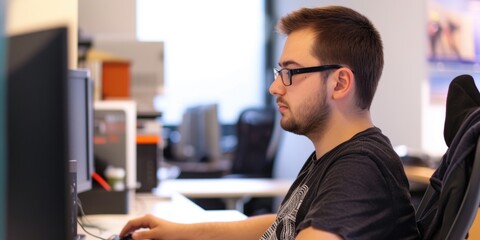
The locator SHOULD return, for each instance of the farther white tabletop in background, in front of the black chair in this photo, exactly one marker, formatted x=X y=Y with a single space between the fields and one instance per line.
x=233 y=190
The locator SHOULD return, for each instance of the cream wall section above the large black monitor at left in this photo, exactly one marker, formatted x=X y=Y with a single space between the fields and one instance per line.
x=31 y=15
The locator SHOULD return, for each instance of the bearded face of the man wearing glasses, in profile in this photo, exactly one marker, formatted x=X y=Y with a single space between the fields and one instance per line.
x=303 y=105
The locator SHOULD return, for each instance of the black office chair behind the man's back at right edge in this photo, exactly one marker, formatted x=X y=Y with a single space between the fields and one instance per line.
x=451 y=201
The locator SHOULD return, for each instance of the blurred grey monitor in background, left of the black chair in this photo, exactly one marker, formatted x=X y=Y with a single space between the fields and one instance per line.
x=199 y=135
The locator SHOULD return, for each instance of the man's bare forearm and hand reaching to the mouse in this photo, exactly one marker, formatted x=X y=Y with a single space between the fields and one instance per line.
x=250 y=228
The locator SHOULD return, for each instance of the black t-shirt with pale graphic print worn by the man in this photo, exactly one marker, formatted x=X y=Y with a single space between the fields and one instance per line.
x=358 y=190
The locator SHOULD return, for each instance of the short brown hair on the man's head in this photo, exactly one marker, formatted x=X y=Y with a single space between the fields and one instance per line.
x=343 y=36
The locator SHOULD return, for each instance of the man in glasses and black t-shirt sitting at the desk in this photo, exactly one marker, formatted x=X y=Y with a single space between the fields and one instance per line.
x=353 y=185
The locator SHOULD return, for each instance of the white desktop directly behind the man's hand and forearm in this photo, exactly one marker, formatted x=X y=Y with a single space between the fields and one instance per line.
x=176 y=208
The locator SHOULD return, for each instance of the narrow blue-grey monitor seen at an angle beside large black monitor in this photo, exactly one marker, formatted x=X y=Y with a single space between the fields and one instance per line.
x=80 y=126
